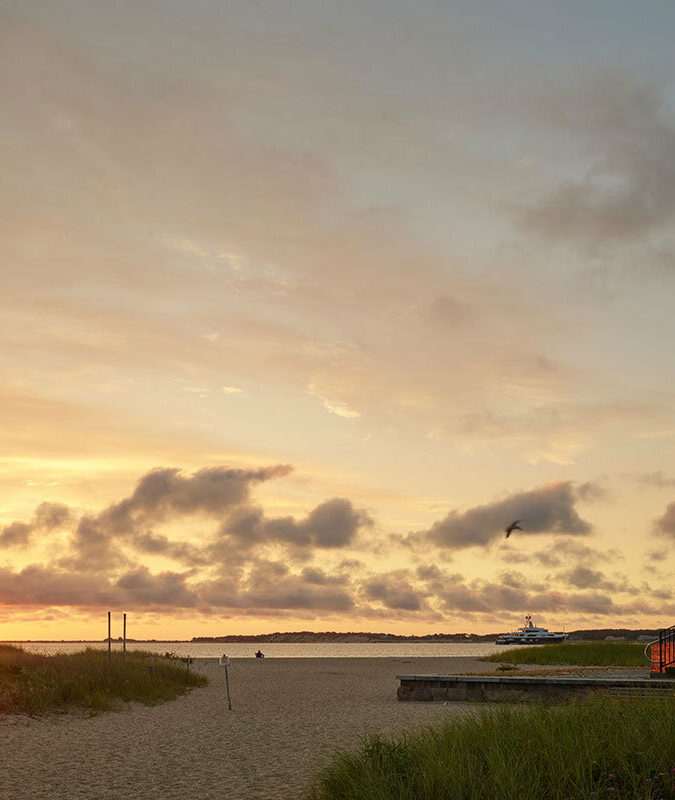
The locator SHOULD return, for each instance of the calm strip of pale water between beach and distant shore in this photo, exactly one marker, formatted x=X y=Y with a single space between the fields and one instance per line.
x=316 y=650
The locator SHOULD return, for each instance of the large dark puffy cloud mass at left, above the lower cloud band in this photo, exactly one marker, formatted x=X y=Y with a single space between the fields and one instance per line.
x=115 y=537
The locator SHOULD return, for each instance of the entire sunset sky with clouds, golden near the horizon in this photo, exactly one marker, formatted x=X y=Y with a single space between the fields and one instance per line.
x=304 y=302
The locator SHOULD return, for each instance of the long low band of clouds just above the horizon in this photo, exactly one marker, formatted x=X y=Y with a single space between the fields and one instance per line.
x=266 y=587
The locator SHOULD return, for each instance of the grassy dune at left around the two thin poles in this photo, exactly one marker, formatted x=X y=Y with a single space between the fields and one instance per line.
x=35 y=683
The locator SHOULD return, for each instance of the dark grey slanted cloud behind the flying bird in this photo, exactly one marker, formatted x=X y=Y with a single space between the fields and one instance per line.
x=547 y=509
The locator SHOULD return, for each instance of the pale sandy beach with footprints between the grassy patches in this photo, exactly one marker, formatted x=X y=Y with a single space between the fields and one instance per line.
x=289 y=716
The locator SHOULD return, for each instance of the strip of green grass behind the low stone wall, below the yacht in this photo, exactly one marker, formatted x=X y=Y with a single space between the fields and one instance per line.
x=600 y=654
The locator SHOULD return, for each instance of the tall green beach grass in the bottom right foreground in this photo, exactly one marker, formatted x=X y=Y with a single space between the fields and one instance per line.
x=600 y=748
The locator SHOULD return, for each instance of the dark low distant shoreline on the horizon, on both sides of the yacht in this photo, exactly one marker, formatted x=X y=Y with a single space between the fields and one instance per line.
x=358 y=637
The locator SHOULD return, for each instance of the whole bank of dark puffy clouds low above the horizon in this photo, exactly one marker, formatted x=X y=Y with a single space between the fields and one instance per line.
x=250 y=563
